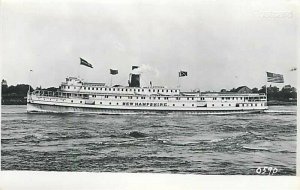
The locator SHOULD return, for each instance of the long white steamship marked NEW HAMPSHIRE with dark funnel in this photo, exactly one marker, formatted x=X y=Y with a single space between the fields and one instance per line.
x=75 y=95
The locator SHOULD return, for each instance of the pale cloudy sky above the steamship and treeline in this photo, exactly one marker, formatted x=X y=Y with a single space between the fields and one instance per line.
x=221 y=44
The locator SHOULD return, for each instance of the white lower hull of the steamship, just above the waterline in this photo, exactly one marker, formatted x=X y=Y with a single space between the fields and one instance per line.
x=48 y=108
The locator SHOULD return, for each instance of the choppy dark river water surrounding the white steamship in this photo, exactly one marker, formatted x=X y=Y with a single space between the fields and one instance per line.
x=208 y=144
